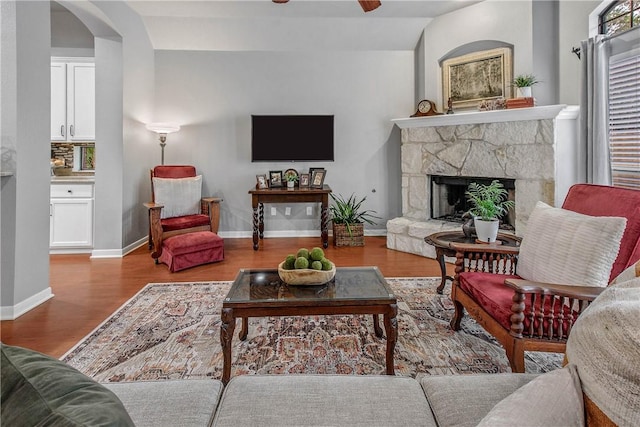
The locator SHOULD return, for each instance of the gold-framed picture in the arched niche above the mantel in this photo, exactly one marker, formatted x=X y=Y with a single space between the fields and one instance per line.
x=470 y=79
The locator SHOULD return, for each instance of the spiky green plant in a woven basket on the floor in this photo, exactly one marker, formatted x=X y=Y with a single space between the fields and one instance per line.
x=348 y=220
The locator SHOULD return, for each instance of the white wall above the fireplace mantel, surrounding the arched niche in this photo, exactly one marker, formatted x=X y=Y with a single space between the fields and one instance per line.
x=542 y=34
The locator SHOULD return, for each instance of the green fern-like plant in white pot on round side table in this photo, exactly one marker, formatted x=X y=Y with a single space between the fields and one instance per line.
x=489 y=202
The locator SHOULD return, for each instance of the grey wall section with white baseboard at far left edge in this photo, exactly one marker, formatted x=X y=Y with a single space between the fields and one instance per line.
x=26 y=89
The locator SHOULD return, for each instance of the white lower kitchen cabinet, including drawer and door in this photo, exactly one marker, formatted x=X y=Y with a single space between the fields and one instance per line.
x=71 y=215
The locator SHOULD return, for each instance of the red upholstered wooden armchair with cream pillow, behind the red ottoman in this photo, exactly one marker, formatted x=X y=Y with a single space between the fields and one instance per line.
x=176 y=206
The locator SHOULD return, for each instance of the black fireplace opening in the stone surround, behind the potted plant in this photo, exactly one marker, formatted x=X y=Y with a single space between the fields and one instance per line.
x=449 y=202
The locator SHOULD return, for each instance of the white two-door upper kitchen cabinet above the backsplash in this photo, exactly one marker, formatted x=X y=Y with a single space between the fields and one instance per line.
x=73 y=105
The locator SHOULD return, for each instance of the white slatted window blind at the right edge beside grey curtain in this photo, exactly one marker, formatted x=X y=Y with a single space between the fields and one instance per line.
x=624 y=121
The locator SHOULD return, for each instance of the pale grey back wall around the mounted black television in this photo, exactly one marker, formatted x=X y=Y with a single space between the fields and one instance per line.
x=213 y=94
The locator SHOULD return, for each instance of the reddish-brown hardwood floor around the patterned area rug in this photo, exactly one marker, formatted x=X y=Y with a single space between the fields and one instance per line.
x=88 y=290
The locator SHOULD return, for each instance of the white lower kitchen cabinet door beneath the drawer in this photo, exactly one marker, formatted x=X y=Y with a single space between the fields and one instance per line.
x=71 y=223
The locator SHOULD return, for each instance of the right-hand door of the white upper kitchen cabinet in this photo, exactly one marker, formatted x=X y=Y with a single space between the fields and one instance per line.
x=81 y=102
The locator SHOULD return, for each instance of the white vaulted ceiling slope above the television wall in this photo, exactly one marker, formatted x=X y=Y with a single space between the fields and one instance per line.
x=243 y=25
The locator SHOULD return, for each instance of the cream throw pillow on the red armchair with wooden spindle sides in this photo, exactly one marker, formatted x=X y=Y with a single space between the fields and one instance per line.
x=562 y=246
